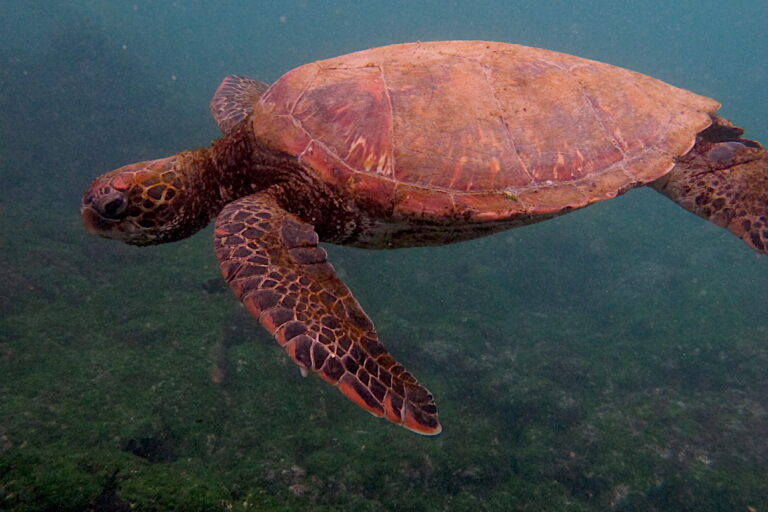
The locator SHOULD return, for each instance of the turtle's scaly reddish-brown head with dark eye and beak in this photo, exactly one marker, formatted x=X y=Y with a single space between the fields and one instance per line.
x=145 y=203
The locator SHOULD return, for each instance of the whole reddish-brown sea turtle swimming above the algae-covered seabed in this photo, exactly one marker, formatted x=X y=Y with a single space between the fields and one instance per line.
x=414 y=145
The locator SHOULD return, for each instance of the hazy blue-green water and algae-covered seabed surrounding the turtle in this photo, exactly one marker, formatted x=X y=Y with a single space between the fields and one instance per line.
x=612 y=359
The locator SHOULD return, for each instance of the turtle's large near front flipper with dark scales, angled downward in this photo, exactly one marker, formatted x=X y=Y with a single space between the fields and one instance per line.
x=272 y=262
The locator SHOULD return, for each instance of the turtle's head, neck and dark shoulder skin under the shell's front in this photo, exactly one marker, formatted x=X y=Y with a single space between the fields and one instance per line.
x=169 y=199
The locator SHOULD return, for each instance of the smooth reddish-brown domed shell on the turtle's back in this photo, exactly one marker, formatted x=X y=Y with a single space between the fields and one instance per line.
x=479 y=129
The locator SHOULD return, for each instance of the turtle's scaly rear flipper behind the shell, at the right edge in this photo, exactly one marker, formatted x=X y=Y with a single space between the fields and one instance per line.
x=724 y=179
